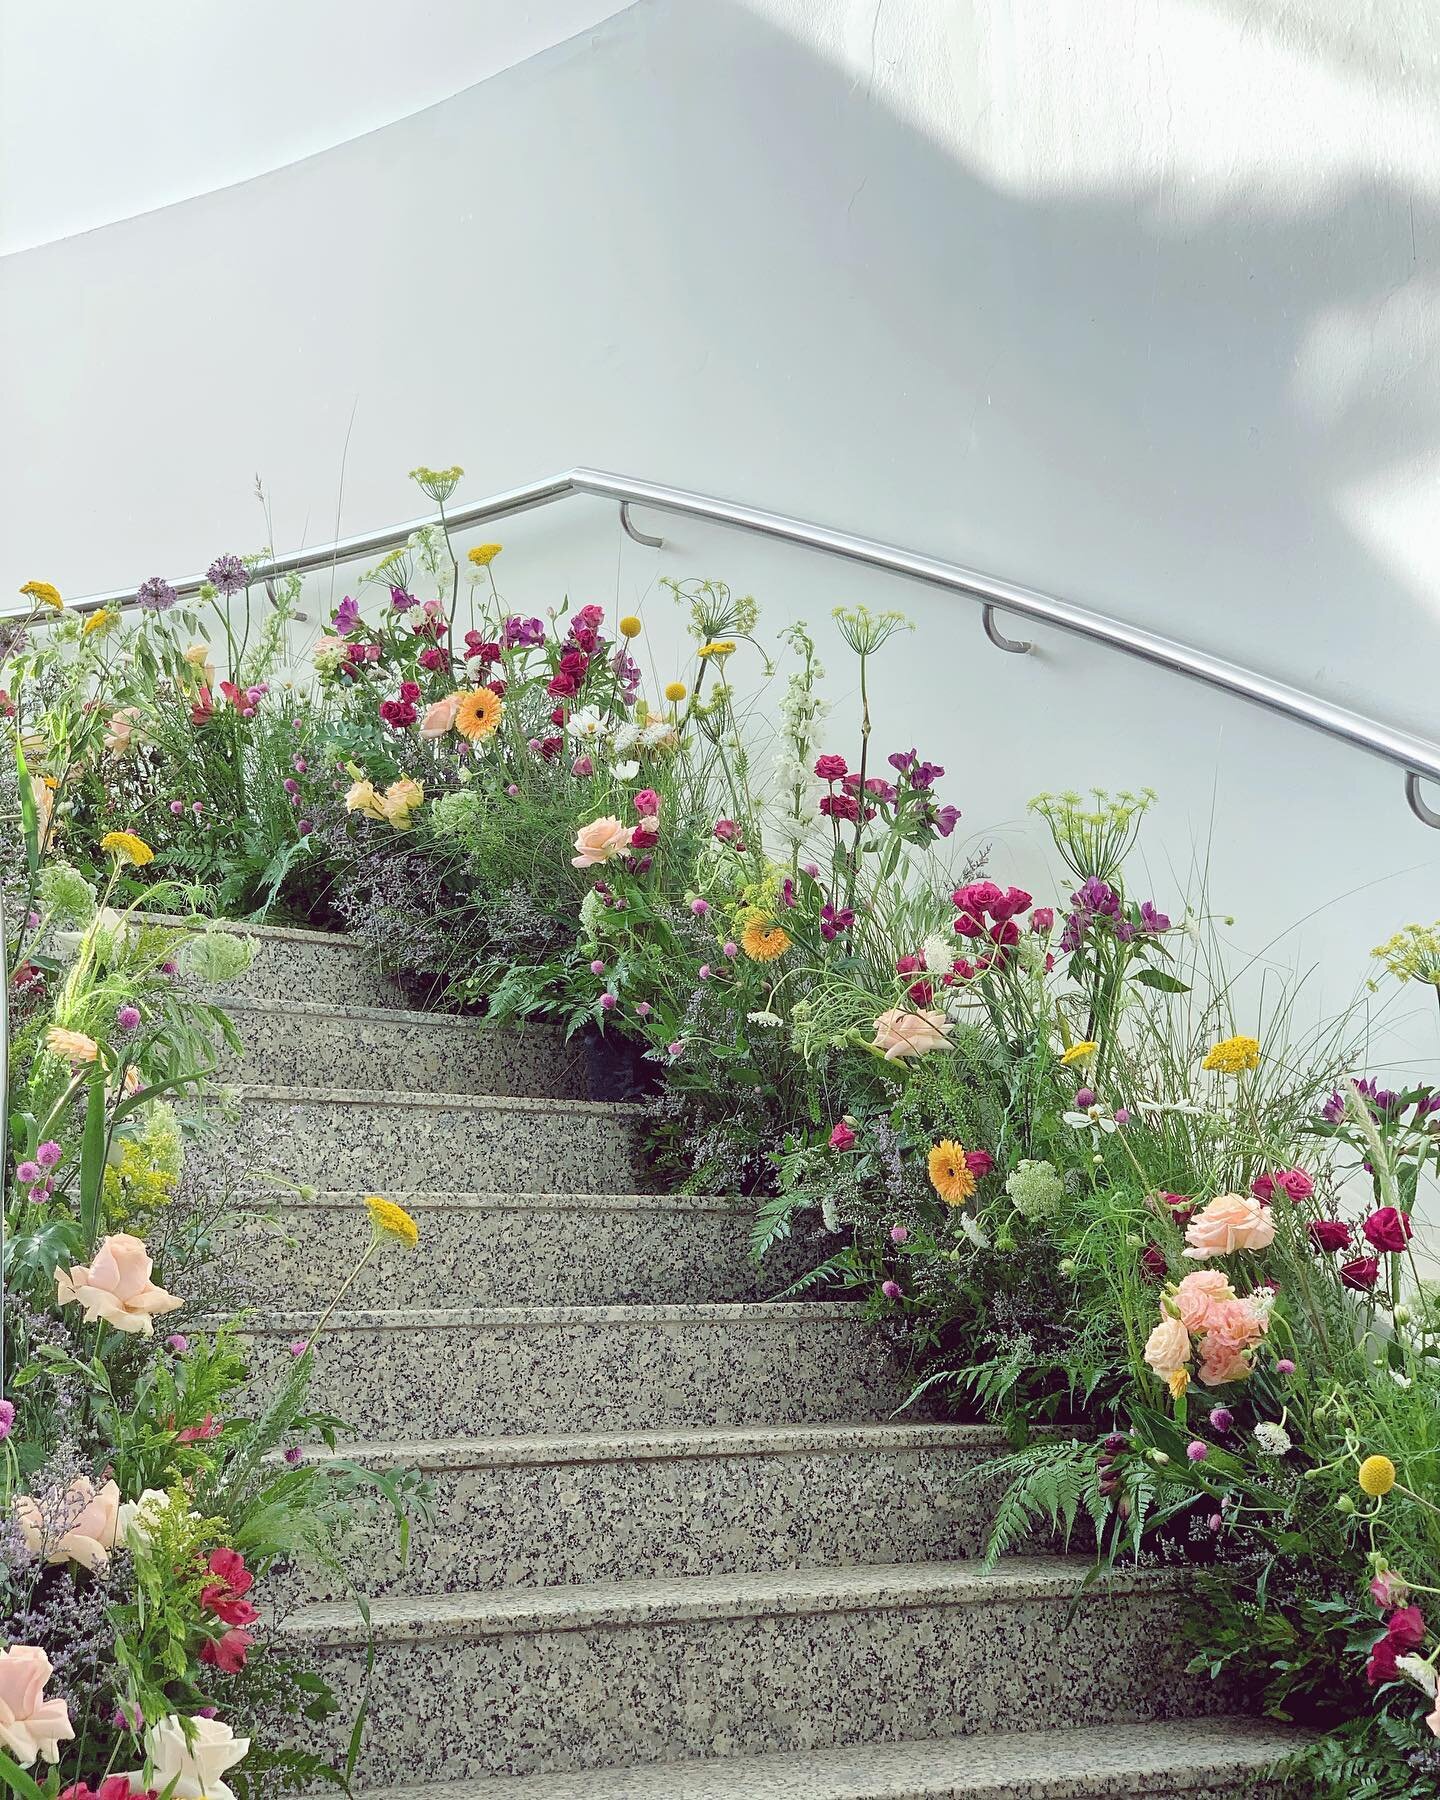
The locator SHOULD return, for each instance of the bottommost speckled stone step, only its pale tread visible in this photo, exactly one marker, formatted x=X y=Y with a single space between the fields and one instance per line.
x=1158 y=1759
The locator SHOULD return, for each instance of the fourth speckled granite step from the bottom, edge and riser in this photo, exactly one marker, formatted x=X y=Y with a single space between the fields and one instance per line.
x=514 y=1371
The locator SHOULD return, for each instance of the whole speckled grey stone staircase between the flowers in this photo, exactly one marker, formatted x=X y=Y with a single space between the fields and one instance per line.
x=685 y=1549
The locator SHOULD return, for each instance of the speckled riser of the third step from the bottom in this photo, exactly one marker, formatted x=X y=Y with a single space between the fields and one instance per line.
x=658 y=1518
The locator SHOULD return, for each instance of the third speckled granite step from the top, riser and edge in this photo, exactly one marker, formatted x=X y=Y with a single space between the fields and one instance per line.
x=377 y=1140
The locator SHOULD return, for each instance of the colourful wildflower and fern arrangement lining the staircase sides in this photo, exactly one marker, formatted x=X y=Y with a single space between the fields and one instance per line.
x=1102 y=1187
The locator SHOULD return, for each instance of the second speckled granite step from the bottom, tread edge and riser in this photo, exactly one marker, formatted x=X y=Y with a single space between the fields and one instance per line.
x=582 y=1678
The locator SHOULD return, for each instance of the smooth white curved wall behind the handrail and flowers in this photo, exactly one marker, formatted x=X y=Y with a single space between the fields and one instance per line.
x=1137 y=305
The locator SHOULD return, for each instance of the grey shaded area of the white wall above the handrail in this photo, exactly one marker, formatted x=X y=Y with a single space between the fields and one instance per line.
x=688 y=247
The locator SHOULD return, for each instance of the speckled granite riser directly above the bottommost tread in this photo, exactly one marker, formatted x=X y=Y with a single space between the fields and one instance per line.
x=600 y=1698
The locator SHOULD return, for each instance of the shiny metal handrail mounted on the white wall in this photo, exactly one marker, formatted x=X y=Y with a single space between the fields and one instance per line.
x=1417 y=757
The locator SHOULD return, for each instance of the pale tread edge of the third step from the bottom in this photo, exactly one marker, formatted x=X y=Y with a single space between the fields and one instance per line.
x=656 y=1446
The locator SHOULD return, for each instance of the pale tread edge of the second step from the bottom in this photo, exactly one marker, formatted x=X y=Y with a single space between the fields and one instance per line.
x=400 y=1619
